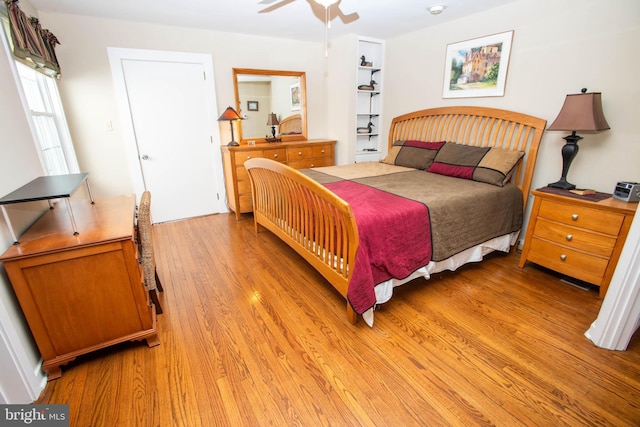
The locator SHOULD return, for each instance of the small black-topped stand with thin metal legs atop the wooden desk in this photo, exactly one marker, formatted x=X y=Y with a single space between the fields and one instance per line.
x=46 y=188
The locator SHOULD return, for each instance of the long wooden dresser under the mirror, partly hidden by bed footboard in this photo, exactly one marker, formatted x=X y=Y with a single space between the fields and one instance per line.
x=297 y=154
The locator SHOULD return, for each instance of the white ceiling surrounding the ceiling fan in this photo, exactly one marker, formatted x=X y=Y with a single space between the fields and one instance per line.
x=295 y=20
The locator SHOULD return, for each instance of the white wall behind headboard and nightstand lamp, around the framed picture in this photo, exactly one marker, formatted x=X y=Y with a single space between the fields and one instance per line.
x=558 y=48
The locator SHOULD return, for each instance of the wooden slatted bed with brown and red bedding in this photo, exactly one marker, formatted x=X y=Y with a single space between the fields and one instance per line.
x=452 y=188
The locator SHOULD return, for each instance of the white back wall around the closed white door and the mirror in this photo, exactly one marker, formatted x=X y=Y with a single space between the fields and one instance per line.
x=87 y=90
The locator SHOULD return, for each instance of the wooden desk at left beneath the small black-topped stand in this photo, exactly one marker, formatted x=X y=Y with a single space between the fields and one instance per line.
x=81 y=292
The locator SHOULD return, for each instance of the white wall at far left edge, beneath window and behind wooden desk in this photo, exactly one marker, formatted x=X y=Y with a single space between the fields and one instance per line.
x=20 y=377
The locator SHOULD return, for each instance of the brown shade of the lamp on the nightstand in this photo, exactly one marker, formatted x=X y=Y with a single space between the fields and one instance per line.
x=581 y=112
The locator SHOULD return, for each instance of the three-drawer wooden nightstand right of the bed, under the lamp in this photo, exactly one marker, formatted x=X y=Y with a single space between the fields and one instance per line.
x=575 y=236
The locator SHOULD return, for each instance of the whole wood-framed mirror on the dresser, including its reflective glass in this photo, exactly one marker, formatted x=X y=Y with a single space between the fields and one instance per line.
x=262 y=92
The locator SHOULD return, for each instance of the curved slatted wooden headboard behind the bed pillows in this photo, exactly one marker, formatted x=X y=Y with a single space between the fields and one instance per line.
x=477 y=126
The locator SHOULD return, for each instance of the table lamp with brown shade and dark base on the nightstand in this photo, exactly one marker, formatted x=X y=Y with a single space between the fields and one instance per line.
x=581 y=112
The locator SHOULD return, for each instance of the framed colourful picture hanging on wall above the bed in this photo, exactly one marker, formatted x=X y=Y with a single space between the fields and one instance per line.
x=477 y=67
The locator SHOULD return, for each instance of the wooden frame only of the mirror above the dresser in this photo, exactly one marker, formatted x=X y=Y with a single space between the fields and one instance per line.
x=303 y=98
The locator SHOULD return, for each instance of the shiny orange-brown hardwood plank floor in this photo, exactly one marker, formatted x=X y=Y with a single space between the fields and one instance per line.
x=251 y=335
